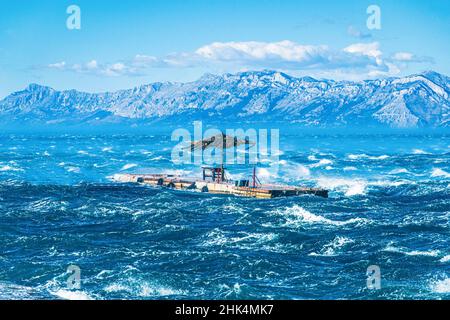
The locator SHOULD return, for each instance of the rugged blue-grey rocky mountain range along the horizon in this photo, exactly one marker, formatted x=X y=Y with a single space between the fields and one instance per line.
x=420 y=100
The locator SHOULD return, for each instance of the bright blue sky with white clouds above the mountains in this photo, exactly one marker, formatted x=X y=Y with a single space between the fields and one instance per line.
x=122 y=44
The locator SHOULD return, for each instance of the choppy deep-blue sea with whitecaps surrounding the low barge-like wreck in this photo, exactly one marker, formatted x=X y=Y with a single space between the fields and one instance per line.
x=389 y=206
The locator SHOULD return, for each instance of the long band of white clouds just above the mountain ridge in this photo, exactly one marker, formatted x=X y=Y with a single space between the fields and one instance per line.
x=364 y=59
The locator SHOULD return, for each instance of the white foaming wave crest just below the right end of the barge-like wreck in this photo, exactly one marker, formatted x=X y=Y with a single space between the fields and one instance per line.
x=296 y=214
